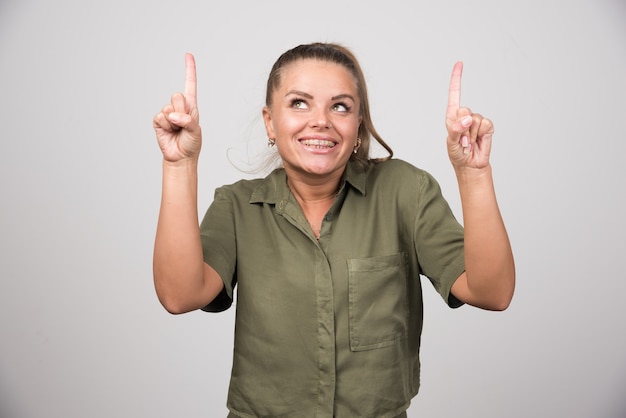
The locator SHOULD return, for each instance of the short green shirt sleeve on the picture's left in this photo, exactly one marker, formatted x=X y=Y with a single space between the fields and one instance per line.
x=217 y=233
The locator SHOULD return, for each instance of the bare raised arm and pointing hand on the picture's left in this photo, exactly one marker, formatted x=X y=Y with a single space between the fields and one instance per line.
x=183 y=281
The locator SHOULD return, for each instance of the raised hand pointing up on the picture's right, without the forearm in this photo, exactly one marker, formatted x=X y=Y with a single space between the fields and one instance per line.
x=469 y=134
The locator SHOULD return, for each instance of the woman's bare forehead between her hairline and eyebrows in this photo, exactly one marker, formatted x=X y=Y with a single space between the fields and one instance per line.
x=316 y=74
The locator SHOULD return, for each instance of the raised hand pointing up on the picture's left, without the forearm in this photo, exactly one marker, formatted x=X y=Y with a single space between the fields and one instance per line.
x=177 y=125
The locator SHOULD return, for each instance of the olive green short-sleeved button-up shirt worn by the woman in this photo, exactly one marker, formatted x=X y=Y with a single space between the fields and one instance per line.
x=330 y=327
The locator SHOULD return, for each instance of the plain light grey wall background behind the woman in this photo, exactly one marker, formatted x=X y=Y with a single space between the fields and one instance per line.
x=82 y=333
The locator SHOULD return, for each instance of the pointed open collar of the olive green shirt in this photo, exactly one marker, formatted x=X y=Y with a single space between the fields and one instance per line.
x=273 y=188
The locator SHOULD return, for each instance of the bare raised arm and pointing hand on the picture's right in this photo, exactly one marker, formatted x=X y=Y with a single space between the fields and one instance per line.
x=489 y=278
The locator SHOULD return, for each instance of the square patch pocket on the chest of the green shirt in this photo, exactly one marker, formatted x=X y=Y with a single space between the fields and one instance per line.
x=377 y=297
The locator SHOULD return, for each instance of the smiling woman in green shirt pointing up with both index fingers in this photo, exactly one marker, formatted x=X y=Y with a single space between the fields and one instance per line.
x=327 y=251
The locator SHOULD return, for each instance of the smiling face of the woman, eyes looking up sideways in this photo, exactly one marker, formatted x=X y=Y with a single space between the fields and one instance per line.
x=314 y=118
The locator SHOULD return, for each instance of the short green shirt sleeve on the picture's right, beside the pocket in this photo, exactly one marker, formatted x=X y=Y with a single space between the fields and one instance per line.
x=439 y=240
